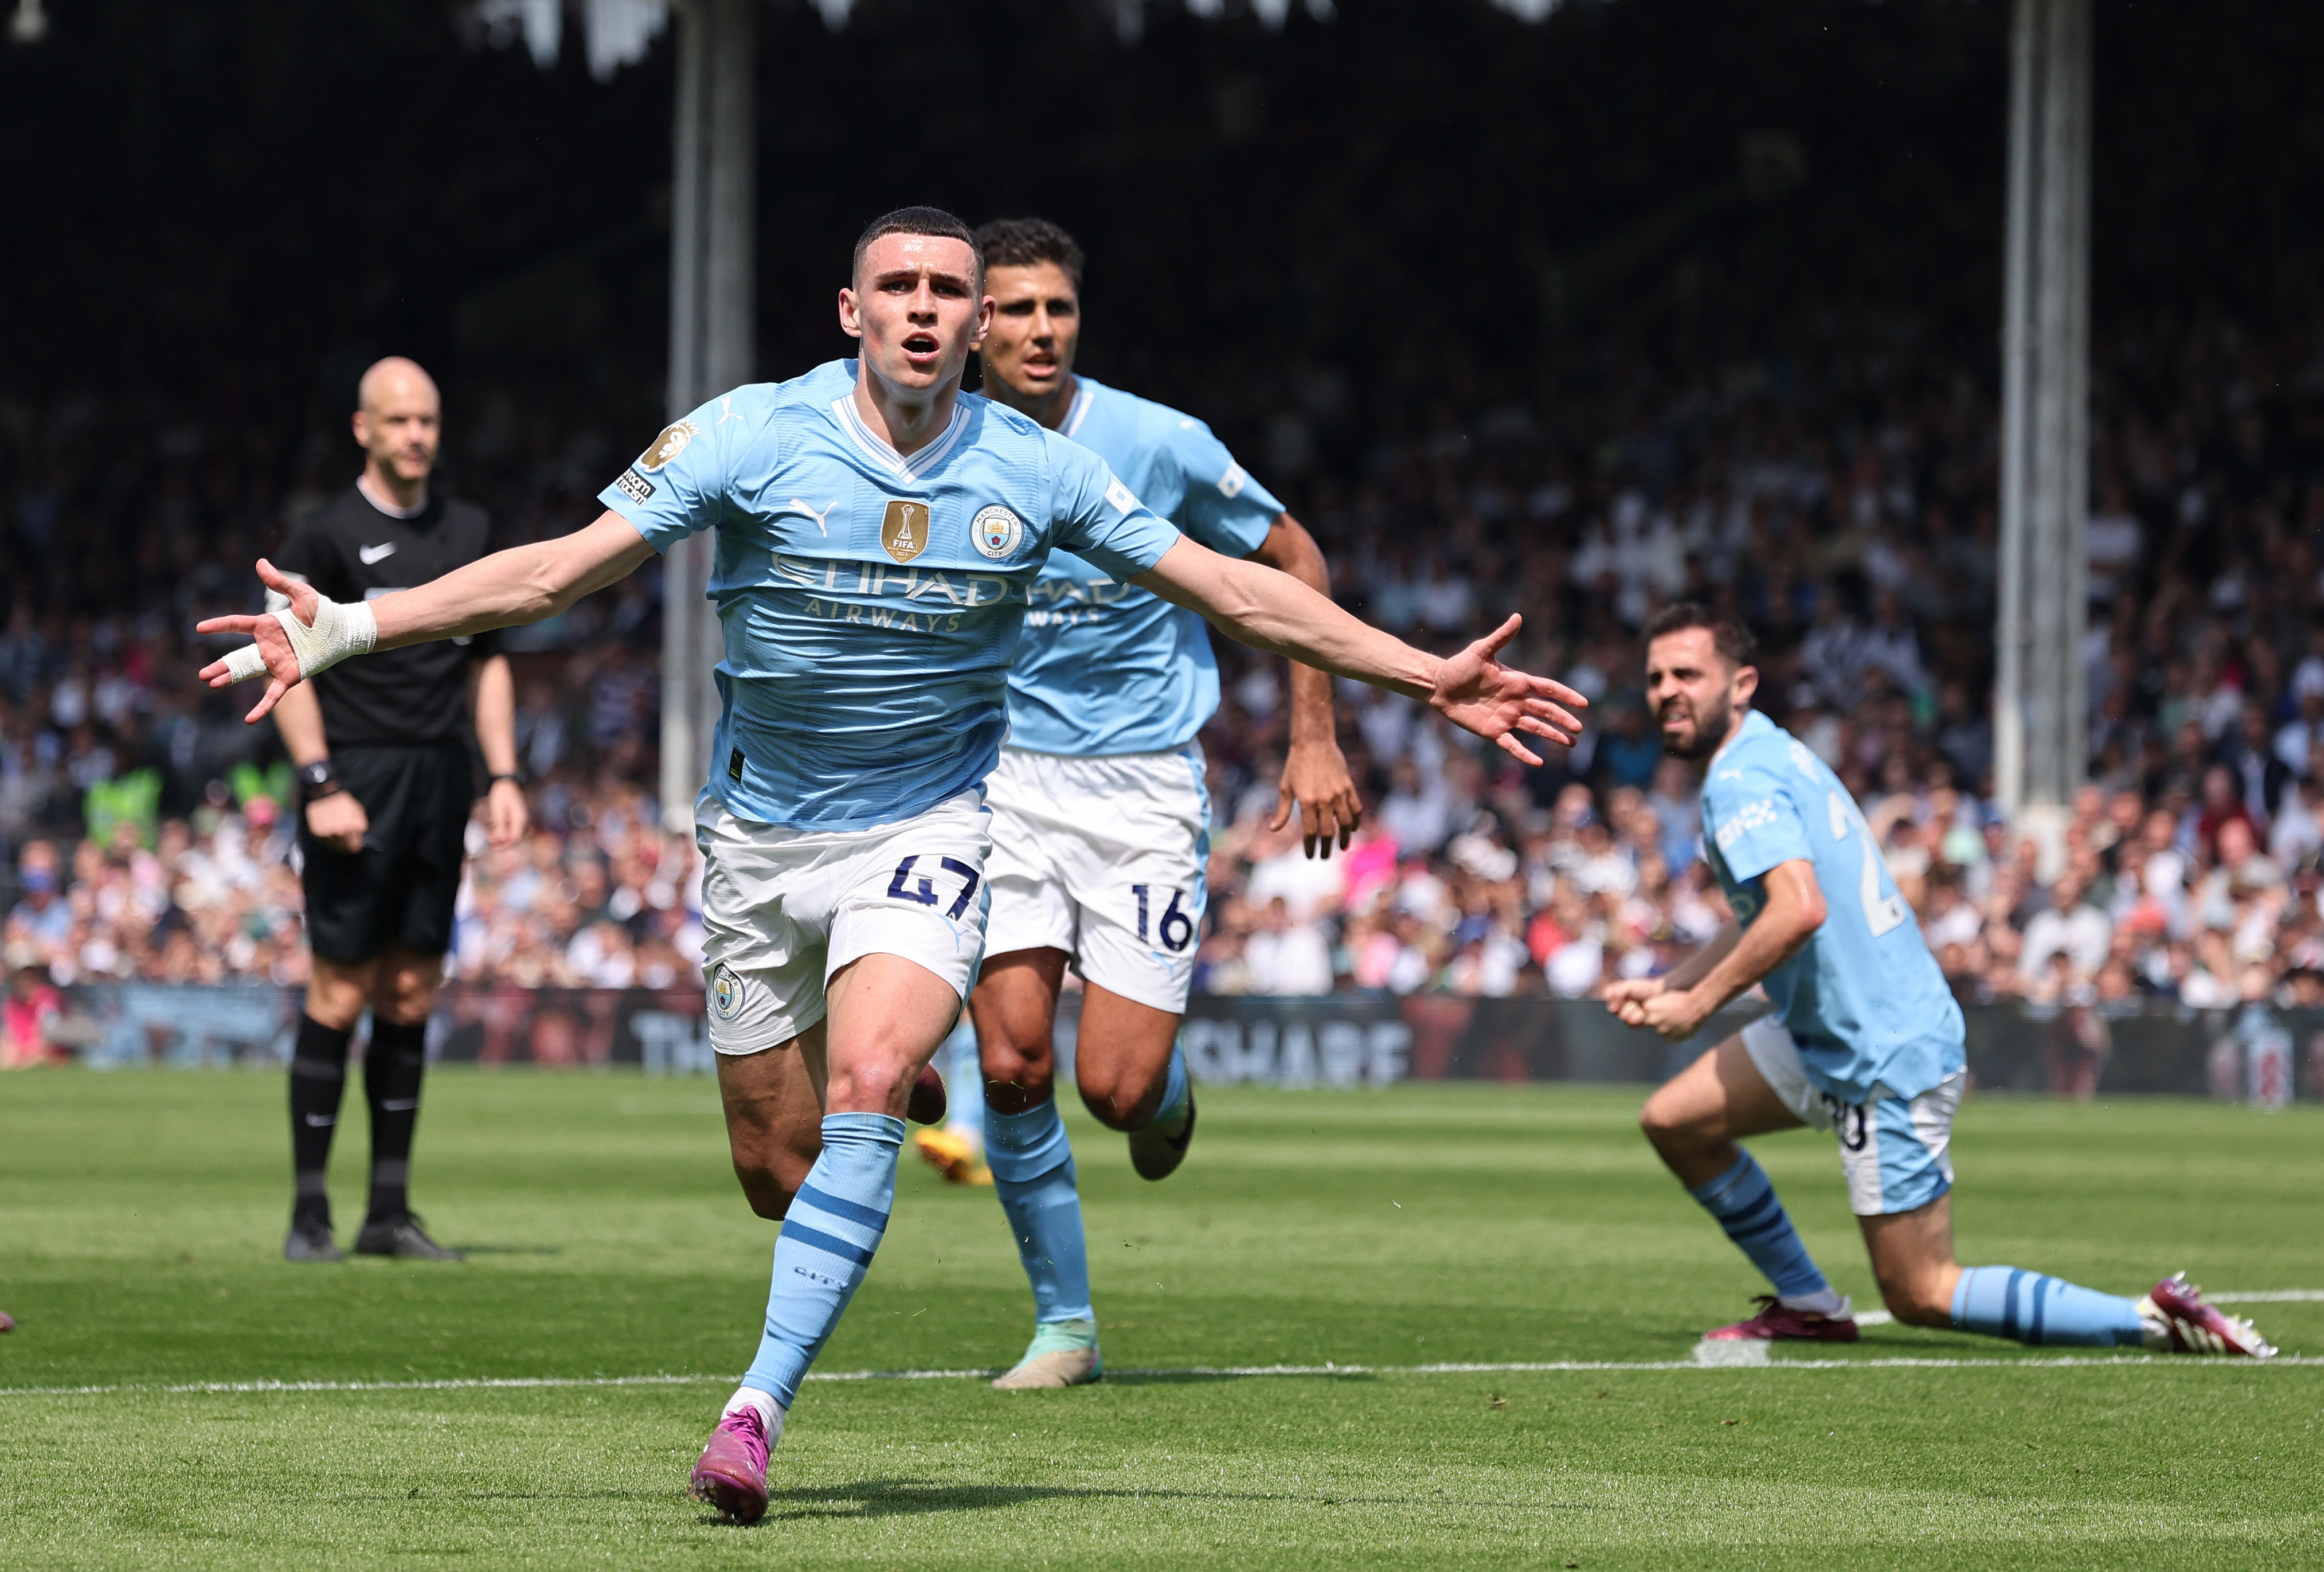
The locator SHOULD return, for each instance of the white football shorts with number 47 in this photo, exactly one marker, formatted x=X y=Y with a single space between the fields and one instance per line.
x=782 y=910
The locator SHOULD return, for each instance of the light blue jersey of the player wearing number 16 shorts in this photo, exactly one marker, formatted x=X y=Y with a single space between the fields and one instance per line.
x=1107 y=669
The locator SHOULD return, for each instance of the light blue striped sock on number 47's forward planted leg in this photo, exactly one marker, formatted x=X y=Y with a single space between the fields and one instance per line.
x=826 y=1248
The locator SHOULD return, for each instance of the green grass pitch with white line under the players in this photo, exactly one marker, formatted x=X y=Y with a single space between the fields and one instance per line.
x=141 y=1220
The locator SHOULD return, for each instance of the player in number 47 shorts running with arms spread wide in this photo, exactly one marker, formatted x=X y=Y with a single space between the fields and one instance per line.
x=877 y=541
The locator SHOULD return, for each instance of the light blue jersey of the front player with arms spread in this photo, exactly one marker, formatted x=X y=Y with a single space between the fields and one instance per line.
x=873 y=601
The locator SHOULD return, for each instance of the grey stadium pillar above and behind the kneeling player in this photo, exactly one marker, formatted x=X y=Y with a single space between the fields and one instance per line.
x=2042 y=715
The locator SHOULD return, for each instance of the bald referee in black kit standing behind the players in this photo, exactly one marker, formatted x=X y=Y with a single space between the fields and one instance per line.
x=382 y=755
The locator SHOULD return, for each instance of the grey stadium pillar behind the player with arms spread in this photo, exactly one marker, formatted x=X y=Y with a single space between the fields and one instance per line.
x=712 y=338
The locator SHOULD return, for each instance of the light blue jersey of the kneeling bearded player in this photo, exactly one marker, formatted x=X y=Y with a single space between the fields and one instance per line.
x=1863 y=999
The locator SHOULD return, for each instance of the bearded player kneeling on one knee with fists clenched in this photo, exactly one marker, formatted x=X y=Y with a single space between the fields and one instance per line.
x=1865 y=1041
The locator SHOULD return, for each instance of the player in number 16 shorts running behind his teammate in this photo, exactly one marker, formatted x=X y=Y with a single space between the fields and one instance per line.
x=1100 y=817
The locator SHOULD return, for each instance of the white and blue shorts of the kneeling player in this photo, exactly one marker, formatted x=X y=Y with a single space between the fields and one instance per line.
x=1898 y=1152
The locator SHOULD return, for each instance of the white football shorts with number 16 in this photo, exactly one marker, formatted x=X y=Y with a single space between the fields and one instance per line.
x=1105 y=859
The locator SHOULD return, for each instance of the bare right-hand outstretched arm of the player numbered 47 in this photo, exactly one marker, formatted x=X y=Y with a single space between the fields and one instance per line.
x=1270 y=610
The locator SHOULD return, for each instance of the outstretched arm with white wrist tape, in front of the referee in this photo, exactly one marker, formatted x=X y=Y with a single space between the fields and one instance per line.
x=505 y=589
